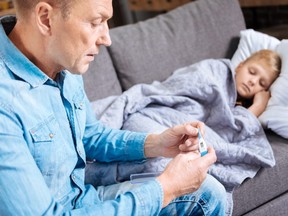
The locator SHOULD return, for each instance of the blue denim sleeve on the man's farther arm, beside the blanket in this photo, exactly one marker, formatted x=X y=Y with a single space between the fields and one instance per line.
x=106 y=144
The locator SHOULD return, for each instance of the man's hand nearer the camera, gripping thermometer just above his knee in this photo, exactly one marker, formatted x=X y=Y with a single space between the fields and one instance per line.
x=185 y=174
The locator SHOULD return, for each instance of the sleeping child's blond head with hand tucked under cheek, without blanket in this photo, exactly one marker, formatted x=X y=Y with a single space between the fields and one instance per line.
x=253 y=78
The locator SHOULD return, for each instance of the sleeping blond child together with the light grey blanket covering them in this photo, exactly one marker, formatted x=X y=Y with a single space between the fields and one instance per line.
x=206 y=91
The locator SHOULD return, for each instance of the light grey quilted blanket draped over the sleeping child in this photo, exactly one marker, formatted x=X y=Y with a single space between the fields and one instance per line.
x=203 y=91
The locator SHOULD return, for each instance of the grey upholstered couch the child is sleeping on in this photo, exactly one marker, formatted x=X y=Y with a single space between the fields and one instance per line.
x=153 y=49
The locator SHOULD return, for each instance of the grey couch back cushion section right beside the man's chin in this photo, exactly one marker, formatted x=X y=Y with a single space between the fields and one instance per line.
x=101 y=80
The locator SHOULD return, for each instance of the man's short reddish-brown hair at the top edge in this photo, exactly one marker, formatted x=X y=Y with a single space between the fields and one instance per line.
x=26 y=6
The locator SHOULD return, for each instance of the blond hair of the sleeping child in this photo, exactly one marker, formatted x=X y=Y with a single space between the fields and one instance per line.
x=268 y=57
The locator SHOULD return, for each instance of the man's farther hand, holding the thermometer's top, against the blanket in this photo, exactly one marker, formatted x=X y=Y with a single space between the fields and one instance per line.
x=171 y=142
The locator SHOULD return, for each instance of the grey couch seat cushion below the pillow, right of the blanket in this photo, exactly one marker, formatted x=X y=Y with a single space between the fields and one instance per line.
x=268 y=183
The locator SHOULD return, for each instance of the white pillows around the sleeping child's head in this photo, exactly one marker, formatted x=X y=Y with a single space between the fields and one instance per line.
x=275 y=116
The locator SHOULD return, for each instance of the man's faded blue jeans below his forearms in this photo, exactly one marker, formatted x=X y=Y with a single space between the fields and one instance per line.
x=209 y=199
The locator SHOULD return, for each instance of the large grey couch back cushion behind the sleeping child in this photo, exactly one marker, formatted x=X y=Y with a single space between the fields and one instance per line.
x=175 y=39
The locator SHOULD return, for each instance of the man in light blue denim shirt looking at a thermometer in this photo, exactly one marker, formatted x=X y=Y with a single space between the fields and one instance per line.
x=47 y=129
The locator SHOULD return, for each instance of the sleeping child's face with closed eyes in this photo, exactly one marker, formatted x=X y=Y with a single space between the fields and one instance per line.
x=252 y=77
